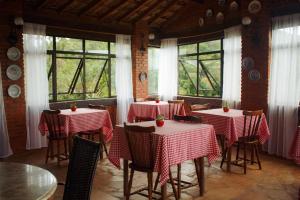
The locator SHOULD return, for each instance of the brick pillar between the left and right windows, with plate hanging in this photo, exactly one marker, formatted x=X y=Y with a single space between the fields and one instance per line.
x=139 y=59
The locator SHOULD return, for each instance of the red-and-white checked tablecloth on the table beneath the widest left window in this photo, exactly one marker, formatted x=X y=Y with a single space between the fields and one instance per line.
x=83 y=119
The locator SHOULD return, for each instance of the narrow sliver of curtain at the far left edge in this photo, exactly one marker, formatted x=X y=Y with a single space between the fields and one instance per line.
x=5 y=149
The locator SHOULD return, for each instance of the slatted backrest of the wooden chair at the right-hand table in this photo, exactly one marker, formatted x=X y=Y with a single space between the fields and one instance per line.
x=252 y=121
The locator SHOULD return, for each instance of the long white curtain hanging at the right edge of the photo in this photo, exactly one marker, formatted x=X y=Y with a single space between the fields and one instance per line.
x=284 y=83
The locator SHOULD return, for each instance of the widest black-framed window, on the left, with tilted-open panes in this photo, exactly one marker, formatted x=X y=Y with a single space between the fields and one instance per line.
x=80 y=69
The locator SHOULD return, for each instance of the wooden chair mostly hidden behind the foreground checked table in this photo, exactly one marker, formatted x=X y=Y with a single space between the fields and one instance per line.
x=181 y=184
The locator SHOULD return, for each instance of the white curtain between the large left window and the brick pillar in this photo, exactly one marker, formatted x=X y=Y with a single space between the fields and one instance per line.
x=123 y=76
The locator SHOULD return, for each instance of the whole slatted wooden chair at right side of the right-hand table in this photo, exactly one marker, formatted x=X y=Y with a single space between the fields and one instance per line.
x=250 y=139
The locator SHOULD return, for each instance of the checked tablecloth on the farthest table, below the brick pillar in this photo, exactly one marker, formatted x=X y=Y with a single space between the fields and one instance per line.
x=149 y=109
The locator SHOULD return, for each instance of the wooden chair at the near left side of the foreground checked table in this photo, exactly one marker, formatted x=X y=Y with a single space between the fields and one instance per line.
x=141 y=148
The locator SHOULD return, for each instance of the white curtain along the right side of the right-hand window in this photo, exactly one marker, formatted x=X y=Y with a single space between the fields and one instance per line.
x=232 y=67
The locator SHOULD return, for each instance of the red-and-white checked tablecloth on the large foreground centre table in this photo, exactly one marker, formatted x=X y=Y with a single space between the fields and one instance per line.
x=175 y=142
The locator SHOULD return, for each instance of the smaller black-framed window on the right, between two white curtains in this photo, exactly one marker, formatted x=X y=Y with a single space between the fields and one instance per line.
x=200 y=69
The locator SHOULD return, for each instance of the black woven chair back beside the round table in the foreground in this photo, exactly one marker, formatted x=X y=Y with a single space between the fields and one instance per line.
x=81 y=169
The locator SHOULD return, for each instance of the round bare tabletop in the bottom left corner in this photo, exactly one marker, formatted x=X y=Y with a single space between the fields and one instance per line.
x=23 y=181
